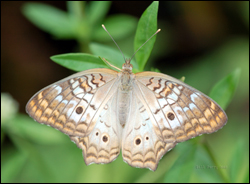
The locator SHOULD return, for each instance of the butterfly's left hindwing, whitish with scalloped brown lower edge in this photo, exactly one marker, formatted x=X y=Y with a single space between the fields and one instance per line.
x=103 y=143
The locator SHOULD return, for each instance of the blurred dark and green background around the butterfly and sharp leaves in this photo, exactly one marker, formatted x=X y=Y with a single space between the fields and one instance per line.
x=203 y=41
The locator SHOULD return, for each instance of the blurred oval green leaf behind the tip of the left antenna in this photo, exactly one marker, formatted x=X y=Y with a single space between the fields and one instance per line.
x=119 y=26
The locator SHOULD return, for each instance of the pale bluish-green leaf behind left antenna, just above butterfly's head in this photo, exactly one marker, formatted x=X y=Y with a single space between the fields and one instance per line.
x=113 y=56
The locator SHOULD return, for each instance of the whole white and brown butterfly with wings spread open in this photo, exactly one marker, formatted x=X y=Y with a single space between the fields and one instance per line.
x=143 y=114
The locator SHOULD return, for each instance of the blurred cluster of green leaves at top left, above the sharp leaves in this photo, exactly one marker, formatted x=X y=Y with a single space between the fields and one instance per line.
x=82 y=22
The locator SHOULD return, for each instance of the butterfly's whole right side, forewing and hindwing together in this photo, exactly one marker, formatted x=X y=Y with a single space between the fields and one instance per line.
x=165 y=111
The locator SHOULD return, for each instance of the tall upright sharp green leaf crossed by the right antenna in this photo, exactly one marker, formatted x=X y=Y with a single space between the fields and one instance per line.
x=146 y=27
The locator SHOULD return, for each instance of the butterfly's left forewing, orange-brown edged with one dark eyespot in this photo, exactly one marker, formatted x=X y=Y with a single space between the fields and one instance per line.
x=73 y=104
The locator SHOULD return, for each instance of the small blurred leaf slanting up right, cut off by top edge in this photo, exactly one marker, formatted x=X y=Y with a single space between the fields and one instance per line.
x=96 y=11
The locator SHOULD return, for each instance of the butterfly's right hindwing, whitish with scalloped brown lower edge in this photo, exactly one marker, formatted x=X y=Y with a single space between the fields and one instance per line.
x=141 y=147
